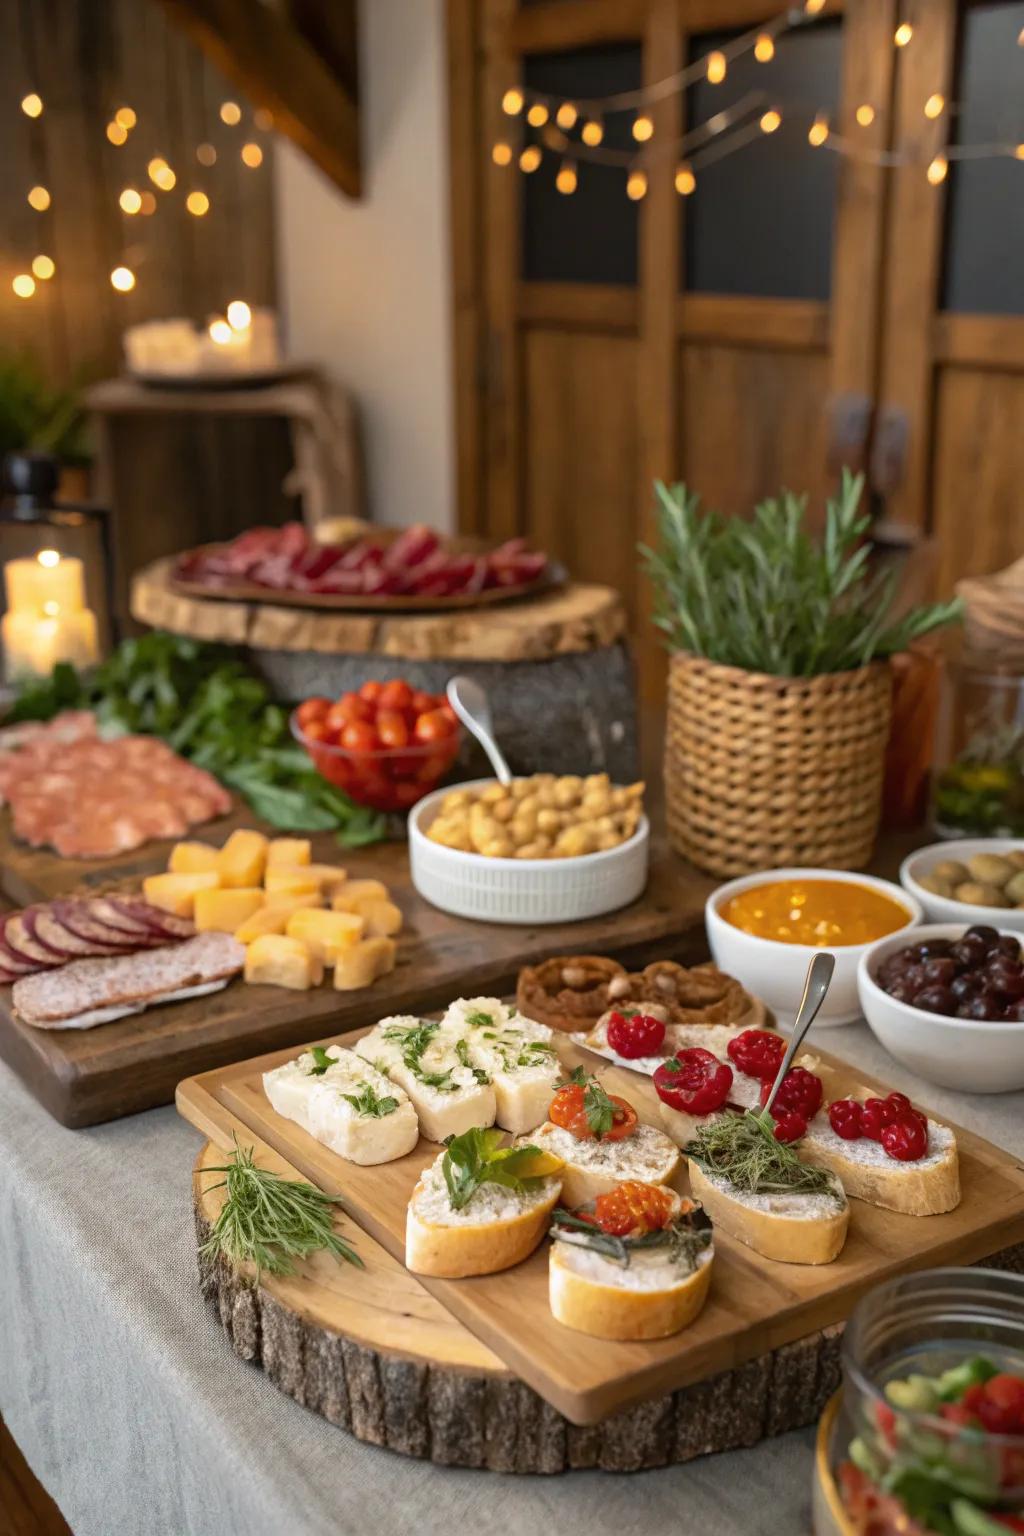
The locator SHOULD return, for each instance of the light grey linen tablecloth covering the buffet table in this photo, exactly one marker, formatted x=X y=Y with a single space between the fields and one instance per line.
x=133 y=1411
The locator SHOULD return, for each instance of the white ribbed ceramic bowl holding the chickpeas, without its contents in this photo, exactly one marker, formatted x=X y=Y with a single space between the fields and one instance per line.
x=523 y=890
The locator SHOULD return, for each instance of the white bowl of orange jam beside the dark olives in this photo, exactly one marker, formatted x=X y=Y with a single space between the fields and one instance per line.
x=765 y=929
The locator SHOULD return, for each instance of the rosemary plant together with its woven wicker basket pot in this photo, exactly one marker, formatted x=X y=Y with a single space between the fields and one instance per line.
x=779 y=686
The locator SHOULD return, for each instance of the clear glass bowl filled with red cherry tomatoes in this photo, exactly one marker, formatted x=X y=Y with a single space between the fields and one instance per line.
x=386 y=746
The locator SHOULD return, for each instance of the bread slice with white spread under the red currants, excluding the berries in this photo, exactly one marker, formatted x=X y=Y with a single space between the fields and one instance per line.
x=925 y=1188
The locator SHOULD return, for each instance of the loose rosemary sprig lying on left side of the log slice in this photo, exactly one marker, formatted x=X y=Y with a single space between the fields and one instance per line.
x=273 y=1222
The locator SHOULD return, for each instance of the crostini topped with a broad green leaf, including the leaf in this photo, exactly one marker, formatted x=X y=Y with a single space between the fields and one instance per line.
x=480 y=1208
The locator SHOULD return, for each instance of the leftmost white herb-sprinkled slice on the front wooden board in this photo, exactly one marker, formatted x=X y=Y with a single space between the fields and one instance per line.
x=317 y=1102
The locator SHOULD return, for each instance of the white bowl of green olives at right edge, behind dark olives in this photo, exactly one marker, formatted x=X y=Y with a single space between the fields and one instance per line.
x=969 y=881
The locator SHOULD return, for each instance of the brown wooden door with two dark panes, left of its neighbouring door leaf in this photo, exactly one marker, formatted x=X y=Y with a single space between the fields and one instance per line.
x=725 y=337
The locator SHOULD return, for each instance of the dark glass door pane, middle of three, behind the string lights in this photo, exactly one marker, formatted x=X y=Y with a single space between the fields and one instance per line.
x=761 y=220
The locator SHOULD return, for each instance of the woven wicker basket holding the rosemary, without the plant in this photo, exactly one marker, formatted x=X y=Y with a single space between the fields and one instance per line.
x=765 y=772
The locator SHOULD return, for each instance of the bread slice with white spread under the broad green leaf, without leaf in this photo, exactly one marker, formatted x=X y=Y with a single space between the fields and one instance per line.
x=497 y=1230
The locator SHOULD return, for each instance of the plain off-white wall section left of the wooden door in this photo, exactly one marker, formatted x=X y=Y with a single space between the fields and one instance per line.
x=366 y=286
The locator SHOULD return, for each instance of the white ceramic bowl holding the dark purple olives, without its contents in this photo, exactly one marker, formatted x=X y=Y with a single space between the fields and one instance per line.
x=966 y=1054
